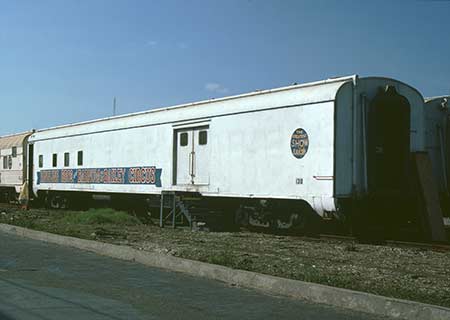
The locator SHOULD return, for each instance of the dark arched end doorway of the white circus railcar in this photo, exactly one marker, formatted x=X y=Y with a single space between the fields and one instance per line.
x=390 y=208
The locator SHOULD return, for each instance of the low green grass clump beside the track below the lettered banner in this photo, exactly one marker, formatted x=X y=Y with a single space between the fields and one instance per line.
x=102 y=216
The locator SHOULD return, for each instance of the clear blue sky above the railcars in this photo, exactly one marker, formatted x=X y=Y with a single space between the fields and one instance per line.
x=63 y=61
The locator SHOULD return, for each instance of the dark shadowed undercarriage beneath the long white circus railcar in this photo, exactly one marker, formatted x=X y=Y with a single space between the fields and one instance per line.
x=374 y=218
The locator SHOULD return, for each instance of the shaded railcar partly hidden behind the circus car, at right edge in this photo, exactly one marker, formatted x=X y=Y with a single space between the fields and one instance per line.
x=437 y=115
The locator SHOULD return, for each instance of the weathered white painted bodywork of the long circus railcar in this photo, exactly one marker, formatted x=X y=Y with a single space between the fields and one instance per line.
x=248 y=153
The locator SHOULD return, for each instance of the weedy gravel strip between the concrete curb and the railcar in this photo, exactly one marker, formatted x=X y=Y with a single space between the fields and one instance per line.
x=408 y=273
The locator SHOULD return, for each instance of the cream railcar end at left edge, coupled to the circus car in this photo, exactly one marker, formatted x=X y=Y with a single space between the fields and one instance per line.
x=13 y=164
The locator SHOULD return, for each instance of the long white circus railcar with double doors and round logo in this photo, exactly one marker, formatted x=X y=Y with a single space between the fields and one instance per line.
x=317 y=144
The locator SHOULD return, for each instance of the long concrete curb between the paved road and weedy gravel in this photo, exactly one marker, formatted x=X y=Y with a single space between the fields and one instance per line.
x=342 y=298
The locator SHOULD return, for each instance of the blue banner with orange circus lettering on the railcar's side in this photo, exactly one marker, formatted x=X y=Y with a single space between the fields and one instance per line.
x=123 y=175
